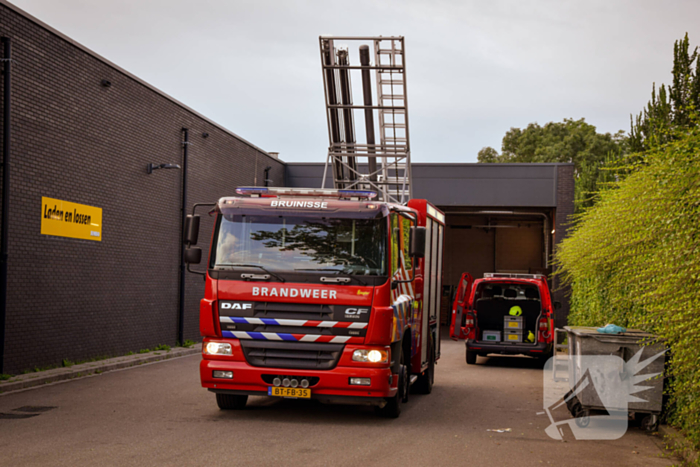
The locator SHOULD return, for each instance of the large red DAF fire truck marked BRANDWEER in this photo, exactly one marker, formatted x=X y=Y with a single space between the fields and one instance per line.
x=324 y=294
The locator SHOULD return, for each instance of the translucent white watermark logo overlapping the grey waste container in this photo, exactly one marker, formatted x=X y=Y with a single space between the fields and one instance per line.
x=597 y=391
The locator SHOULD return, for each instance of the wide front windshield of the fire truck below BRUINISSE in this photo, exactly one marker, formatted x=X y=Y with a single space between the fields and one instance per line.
x=298 y=244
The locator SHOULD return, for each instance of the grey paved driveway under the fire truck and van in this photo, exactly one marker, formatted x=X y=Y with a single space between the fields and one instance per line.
x=157 y=414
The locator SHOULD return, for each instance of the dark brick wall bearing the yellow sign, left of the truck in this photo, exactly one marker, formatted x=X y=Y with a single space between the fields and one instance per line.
x=78 y=141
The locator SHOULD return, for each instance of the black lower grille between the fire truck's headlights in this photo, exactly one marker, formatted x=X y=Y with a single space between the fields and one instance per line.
x=293 y=355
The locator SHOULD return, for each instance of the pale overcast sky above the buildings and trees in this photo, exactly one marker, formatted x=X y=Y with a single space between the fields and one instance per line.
x=474 y=68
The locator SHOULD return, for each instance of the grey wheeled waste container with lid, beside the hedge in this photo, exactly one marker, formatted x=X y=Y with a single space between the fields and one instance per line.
x=645 y=395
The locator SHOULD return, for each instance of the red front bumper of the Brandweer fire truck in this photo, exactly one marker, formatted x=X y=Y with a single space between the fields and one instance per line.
x=332 y=386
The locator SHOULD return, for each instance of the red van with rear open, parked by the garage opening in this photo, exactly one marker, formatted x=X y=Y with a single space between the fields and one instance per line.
x=510 y=314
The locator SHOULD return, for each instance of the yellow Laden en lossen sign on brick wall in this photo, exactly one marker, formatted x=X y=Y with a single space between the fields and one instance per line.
x=66 y=219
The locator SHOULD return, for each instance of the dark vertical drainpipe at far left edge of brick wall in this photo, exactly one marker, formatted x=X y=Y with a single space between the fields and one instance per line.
x=7 y=60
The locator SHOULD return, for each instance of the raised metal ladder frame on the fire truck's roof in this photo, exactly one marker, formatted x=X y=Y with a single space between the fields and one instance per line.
x=387 y=169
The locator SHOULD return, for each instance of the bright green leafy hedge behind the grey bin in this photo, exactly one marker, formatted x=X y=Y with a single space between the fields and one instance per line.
x=634 y=260
